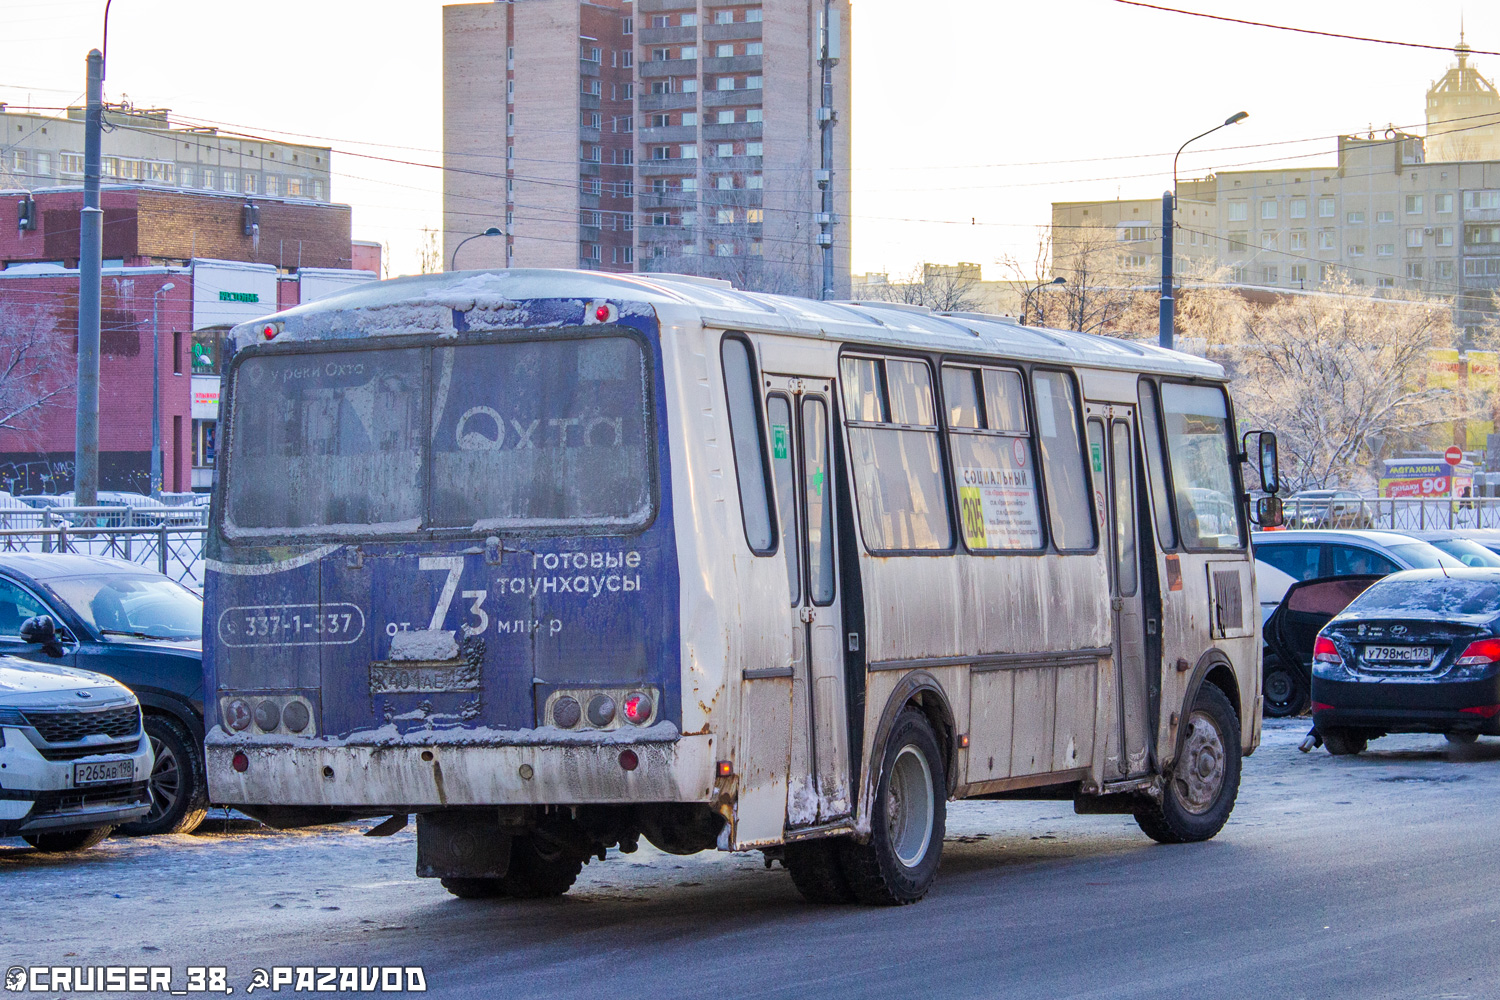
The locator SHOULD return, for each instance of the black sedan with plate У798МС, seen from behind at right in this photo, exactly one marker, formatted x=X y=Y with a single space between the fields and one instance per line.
x=1417 y=653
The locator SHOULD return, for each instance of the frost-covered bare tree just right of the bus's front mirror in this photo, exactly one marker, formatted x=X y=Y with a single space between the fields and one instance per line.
x=1343 y=379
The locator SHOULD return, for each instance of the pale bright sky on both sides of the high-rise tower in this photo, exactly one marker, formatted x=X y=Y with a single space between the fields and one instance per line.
x=970 y=118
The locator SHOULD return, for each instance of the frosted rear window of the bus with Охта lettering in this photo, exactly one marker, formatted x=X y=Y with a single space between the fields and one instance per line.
x=523 y=434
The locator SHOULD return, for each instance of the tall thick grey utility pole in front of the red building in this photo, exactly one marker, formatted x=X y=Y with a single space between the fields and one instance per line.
x=91 y=265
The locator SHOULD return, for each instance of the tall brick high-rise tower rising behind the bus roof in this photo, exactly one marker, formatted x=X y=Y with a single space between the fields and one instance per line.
x=649 y=136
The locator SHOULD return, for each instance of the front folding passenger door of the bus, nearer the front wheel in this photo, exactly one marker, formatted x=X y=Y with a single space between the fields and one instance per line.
x=1112 y=448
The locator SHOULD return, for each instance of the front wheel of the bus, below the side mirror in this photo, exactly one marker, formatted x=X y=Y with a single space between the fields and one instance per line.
x=1205 y=780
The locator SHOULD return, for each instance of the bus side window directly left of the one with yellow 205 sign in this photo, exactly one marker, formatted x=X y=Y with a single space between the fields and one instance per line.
x=892 y=415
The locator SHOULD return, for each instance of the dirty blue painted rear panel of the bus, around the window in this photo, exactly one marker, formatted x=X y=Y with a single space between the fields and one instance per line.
x=559 y=611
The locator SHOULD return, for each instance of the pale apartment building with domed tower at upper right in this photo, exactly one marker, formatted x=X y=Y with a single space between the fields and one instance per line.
x=1385 y=214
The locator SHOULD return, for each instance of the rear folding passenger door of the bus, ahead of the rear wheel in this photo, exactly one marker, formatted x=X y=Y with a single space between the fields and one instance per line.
x=802 y=464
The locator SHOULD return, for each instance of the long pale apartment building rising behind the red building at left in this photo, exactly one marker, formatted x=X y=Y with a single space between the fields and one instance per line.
x=142 y=146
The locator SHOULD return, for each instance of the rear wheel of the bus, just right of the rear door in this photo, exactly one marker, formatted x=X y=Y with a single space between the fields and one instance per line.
x=901 y=860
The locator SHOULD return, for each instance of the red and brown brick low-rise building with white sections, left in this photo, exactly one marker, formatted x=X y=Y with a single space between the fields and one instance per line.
x=229 y=260
